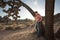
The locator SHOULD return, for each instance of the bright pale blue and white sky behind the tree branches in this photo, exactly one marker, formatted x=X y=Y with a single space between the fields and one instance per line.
x=35 y=5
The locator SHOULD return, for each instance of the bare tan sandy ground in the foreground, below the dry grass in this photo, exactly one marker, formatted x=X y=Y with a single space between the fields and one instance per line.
x=23 y=34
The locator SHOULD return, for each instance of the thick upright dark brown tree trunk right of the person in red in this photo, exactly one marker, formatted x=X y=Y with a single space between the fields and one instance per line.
x=49 y=18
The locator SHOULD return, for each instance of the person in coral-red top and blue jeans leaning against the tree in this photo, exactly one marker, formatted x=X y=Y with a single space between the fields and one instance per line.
x=38 y=19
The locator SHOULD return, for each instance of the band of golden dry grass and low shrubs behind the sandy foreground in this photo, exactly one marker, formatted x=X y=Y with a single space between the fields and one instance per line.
x=15 y=26
